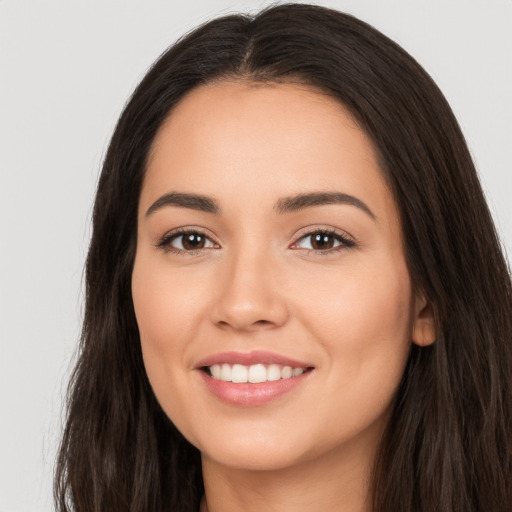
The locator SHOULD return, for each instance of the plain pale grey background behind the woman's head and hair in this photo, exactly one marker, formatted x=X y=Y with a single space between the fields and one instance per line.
x=66 y=69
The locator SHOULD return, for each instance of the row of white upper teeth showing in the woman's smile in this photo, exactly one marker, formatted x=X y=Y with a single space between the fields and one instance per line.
x=254 y=374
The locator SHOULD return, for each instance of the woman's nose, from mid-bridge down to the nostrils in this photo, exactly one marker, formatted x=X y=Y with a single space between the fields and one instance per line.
x=249 y=294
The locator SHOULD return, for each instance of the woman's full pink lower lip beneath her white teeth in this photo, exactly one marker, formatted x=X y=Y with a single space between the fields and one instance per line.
x=248 y=394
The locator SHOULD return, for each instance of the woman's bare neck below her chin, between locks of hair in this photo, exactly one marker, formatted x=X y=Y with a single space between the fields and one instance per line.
x=336 y=482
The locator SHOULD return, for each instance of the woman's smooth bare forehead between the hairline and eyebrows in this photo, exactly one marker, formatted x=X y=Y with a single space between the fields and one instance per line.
x=237 y=139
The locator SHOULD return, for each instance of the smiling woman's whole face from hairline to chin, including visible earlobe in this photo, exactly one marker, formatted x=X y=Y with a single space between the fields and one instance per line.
x=269 y=249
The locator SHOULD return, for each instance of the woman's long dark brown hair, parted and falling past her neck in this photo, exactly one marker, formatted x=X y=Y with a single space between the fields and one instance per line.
x=447 y=447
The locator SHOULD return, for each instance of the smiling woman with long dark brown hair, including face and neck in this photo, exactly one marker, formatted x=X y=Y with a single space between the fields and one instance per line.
x=296 y=299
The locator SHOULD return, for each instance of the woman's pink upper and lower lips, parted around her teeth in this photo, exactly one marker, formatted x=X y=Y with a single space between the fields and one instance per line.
x=249 y=394
